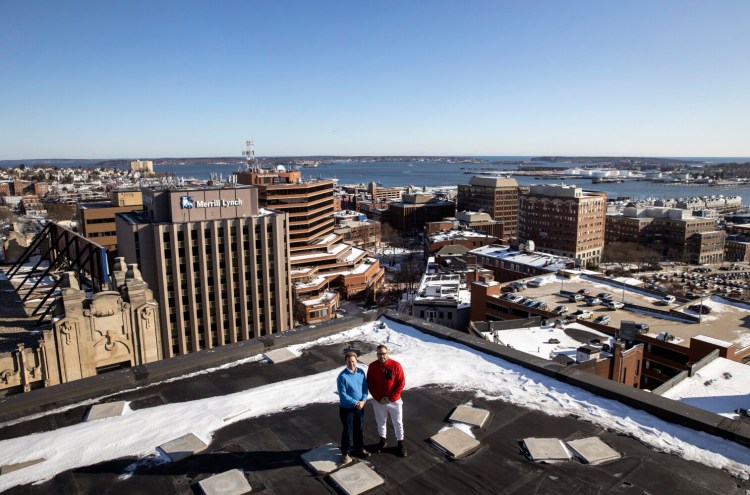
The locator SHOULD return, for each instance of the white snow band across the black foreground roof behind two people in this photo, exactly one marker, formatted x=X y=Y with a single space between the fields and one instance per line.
x=428 y=361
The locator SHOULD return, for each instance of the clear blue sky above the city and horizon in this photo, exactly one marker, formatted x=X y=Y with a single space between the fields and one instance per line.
x=129 y=79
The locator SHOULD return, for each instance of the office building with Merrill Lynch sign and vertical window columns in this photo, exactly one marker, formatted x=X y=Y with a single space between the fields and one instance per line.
x=218 y=262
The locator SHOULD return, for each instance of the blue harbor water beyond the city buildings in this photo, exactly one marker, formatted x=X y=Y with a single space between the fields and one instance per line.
x=436 y=174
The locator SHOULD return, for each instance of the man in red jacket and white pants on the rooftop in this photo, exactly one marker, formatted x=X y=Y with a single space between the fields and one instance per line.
x=385 y=381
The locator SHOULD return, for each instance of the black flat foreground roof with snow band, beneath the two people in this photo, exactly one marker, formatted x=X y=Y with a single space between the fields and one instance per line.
x=260 y=418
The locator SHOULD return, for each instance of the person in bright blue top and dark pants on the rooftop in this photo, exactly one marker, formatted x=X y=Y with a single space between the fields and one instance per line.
x=352 y=388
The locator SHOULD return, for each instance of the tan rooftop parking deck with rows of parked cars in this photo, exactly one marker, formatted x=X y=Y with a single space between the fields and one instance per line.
x=727 y=321
